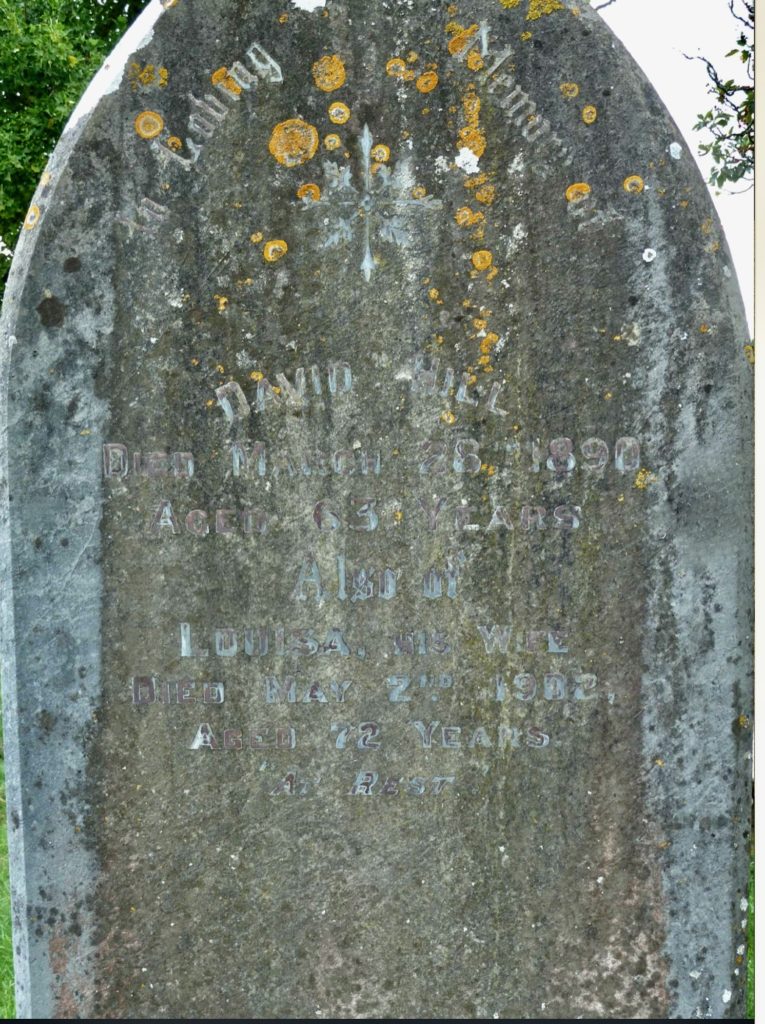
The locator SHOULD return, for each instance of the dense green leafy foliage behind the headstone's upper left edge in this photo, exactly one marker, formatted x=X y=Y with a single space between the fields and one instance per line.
x=50 y=51
